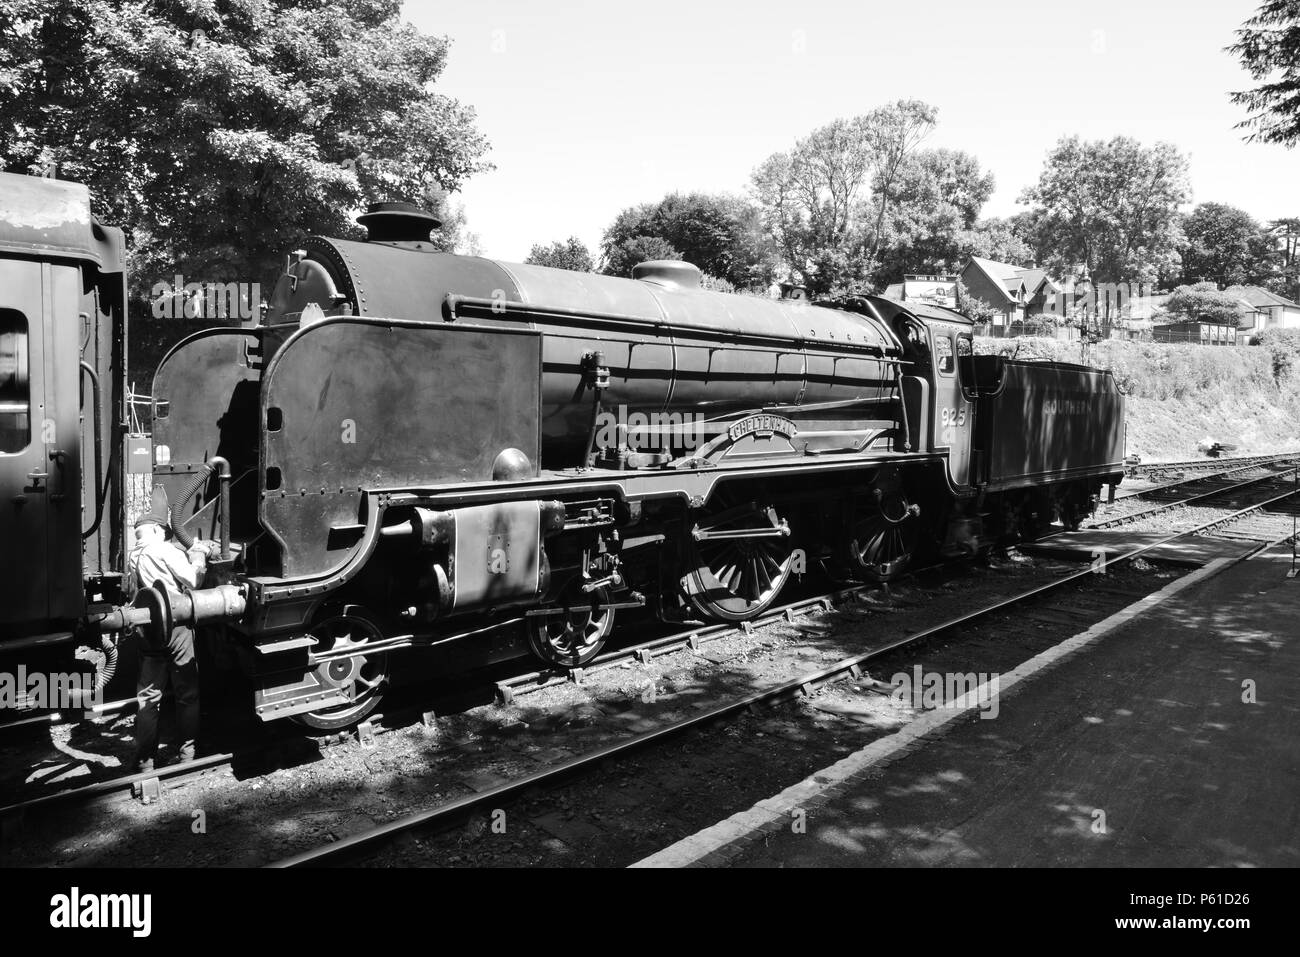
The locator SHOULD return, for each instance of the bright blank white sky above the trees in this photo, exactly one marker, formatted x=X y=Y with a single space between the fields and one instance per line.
x=593 y=107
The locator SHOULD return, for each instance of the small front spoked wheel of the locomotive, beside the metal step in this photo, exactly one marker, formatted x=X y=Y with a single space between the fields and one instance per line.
x=362 y=679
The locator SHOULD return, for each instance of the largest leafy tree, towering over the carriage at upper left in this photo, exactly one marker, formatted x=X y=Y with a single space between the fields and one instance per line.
x=222 y=135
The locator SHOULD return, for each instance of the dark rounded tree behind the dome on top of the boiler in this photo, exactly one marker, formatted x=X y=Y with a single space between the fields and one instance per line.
x=721 y=235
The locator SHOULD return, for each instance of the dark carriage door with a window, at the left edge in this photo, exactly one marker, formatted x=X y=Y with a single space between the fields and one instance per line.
x=40 y=447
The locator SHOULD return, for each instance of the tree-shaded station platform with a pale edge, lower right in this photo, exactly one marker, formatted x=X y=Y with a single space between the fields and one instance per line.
x=1172 y=741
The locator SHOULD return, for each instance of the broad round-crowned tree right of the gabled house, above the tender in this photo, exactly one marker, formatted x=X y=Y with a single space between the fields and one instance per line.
x=1111 y=206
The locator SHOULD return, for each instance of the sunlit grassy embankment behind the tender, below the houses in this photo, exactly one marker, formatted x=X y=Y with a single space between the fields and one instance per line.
x=1181 y=395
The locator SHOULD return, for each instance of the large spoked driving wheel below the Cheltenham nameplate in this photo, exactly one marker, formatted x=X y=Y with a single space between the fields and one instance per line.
x=738 y=579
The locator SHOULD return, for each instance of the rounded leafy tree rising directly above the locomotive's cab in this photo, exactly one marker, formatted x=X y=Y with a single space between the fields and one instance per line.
x=934 y=206
